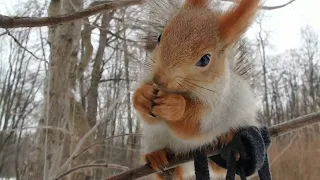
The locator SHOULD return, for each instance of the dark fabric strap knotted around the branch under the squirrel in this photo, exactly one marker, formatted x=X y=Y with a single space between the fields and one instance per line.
x=252 y=144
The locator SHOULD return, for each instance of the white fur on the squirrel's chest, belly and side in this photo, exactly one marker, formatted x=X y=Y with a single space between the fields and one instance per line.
x=232 y=107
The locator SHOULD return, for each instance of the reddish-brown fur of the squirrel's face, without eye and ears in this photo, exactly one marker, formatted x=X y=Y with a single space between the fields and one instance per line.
x=197 y=36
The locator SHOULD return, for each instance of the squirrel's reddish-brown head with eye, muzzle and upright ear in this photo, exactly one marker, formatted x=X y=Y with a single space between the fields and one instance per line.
x=191 y=50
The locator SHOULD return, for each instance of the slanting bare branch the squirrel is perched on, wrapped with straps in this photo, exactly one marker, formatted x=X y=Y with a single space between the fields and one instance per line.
x=274 y=131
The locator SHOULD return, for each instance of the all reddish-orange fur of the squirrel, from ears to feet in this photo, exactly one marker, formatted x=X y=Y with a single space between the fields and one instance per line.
x=185 y=39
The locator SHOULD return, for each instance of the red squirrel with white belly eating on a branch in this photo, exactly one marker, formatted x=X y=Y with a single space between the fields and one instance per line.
x=192 y=97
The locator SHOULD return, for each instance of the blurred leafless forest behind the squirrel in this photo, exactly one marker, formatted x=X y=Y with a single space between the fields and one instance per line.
x=65 y=93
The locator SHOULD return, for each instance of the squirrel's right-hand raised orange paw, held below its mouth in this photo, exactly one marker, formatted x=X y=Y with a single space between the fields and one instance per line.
x=169 y=106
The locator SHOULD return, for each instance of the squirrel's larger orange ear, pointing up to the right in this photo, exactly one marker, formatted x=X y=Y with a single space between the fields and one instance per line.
x=233 y=24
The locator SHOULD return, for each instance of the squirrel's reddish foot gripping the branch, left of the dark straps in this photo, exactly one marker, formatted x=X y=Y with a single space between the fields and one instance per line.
x=157 y=159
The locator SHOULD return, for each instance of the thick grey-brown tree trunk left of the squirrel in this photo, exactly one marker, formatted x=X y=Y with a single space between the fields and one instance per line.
x=64 y=41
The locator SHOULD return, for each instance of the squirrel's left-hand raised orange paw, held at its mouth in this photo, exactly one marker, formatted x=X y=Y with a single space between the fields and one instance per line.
x=142 y=102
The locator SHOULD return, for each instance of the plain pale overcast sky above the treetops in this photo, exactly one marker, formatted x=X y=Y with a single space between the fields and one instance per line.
x=283 y=24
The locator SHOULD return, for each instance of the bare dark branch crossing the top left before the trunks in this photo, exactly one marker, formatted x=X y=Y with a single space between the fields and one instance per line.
x=14 y=22
